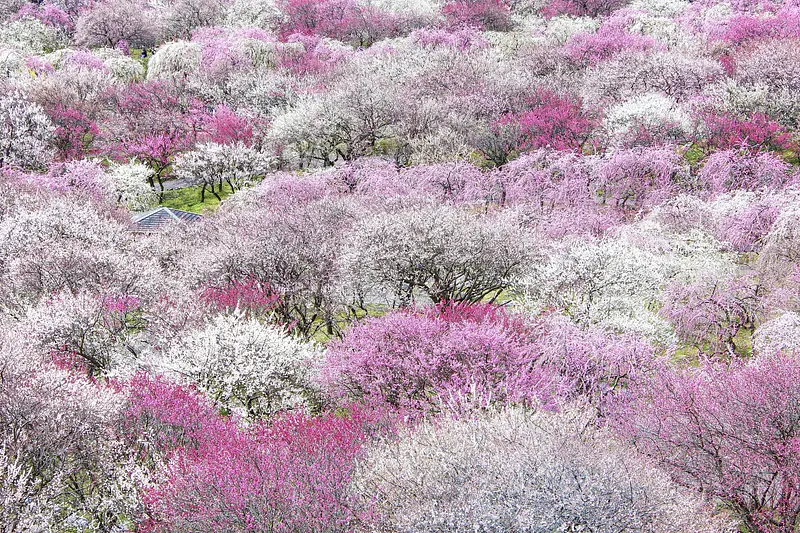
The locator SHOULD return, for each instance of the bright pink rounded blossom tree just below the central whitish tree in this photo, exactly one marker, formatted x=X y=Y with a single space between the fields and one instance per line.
x=449 y=355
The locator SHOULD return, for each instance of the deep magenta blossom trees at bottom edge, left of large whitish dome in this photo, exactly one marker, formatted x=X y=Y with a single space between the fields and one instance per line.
x=291 y=474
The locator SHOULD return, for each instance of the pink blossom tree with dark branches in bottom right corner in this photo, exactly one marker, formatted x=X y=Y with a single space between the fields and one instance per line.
x=732 y=432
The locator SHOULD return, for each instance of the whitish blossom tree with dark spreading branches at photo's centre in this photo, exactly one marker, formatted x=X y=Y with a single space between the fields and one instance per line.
x=439 y=253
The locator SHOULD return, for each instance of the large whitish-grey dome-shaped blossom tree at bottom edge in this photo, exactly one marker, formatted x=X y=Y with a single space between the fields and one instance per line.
x=515 y=471
